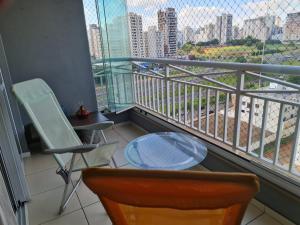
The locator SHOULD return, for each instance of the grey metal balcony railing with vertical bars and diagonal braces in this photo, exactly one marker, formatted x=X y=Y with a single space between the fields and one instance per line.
x=251 y=108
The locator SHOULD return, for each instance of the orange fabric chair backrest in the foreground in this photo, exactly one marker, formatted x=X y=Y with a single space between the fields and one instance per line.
x=153 y=197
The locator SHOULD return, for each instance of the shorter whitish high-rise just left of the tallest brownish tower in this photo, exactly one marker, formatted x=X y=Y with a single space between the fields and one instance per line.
x=155 y=43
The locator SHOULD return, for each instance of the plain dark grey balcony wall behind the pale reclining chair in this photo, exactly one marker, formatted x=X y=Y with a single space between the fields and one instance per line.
x=47 y=39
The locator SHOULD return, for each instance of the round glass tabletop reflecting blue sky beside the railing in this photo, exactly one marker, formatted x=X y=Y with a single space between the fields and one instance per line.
x=165 y=151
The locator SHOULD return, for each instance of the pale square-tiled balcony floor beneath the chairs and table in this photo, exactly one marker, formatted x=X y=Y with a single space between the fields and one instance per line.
x=46 y=188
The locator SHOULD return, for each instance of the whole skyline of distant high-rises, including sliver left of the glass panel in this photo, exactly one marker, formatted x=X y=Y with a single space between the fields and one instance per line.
x=164 y=39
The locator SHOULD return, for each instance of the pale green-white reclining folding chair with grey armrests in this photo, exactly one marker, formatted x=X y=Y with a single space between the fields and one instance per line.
x=59 y=136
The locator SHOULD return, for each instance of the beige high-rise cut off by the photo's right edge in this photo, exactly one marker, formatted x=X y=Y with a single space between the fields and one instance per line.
x=292 y=27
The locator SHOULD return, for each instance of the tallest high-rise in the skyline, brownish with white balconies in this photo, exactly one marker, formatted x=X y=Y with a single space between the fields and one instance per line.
x=167 y=25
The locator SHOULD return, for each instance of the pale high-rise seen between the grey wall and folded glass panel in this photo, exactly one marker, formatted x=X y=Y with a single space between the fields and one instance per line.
x=95 y=41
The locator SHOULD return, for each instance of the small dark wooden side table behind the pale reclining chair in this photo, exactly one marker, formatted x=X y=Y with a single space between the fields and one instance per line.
x=93 y=117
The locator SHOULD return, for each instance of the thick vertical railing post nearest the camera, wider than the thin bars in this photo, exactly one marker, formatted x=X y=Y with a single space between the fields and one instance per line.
x=238 y=105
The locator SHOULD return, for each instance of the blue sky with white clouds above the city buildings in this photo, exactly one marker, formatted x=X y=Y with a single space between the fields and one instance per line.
x=196 y=13
